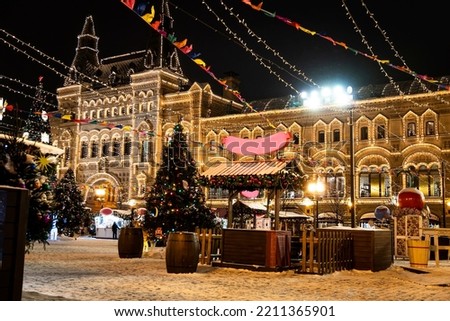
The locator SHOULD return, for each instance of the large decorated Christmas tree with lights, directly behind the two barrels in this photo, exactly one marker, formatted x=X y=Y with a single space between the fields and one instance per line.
x=176 y=199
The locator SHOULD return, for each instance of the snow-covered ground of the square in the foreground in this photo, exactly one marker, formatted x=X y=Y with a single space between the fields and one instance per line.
x=89 y=269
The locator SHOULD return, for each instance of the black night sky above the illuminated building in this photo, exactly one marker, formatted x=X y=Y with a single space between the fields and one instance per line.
x=416 y=32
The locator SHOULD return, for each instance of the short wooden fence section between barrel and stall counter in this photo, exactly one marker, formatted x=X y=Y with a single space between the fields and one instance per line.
x=210 y=244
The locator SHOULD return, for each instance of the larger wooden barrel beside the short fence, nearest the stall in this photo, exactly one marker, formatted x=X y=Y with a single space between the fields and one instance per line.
x=182 y=252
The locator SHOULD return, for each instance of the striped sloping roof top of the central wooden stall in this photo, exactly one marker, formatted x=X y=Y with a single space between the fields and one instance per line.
x=245 y=168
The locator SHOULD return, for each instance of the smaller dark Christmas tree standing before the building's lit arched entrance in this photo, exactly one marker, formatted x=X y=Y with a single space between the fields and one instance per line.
x=69 y=205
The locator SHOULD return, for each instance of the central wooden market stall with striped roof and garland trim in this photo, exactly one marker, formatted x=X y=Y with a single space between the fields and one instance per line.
x=253 y=248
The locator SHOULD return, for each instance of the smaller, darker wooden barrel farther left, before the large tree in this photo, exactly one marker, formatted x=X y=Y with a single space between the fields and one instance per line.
x=131 y=242
